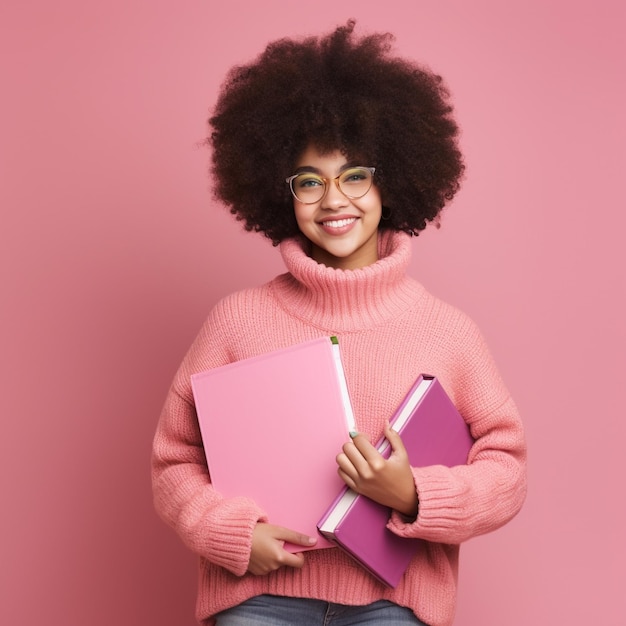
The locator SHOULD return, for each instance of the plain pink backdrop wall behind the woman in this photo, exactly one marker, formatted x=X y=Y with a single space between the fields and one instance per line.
x=113 y=252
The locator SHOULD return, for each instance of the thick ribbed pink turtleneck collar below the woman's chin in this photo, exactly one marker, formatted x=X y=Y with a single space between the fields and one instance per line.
x=347 y=300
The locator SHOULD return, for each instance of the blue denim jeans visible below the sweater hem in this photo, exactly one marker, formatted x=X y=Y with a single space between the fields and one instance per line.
x=268 y=610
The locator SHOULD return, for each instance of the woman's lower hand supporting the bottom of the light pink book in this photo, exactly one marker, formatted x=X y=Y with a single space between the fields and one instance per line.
x=268 y=553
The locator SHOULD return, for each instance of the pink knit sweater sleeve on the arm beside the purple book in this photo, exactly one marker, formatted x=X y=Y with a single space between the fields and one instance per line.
x=461 y=502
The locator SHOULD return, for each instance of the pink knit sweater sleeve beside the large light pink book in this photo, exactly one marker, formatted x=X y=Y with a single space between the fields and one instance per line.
x=217 y=528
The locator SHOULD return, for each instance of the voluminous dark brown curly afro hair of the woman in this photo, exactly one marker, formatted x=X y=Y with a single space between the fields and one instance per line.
x=336 y=93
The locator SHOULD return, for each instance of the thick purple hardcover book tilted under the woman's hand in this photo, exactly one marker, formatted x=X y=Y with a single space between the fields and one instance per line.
x=434 y=433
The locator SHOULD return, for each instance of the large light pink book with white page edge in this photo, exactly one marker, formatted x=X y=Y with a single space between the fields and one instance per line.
x=272 y=426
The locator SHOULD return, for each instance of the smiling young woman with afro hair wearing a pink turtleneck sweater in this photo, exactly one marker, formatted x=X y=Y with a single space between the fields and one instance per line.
x=339 y=152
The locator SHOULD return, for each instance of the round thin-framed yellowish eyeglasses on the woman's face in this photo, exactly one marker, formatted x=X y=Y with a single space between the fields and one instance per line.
x=309 y=188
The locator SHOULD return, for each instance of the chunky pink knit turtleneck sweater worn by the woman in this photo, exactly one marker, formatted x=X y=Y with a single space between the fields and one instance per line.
x=390 y=329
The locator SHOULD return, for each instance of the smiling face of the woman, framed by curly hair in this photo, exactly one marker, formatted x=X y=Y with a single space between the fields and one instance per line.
x=343 y=231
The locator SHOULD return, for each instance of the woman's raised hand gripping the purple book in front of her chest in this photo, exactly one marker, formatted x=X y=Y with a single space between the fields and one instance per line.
x=387 y=481
